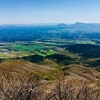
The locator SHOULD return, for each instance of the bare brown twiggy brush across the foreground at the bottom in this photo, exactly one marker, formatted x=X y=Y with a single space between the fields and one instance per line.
x=31 y=88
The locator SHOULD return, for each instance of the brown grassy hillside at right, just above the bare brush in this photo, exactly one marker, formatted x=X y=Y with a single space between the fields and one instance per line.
x=82 y=72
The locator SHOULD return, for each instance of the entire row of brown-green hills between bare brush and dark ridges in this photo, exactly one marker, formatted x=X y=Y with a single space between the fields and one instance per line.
x=47 y=69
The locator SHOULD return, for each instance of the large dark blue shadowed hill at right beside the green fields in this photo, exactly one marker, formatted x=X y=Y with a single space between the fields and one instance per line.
x=85 y=50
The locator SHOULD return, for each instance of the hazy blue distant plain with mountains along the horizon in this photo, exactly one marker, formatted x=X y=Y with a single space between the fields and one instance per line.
x=63 y=31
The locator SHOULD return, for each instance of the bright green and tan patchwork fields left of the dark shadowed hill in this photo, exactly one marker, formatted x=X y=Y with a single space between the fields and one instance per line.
x=9 y=50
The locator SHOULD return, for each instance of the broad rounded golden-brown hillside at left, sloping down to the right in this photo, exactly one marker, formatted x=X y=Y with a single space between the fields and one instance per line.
x=22 y=68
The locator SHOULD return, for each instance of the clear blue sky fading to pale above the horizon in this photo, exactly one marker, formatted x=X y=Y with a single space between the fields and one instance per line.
x=49 y=11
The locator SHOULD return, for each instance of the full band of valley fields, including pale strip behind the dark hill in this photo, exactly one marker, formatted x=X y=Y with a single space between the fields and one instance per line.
x=46 y=48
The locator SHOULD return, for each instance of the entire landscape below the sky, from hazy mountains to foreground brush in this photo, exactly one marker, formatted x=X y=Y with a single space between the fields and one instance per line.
x=59 y=62
